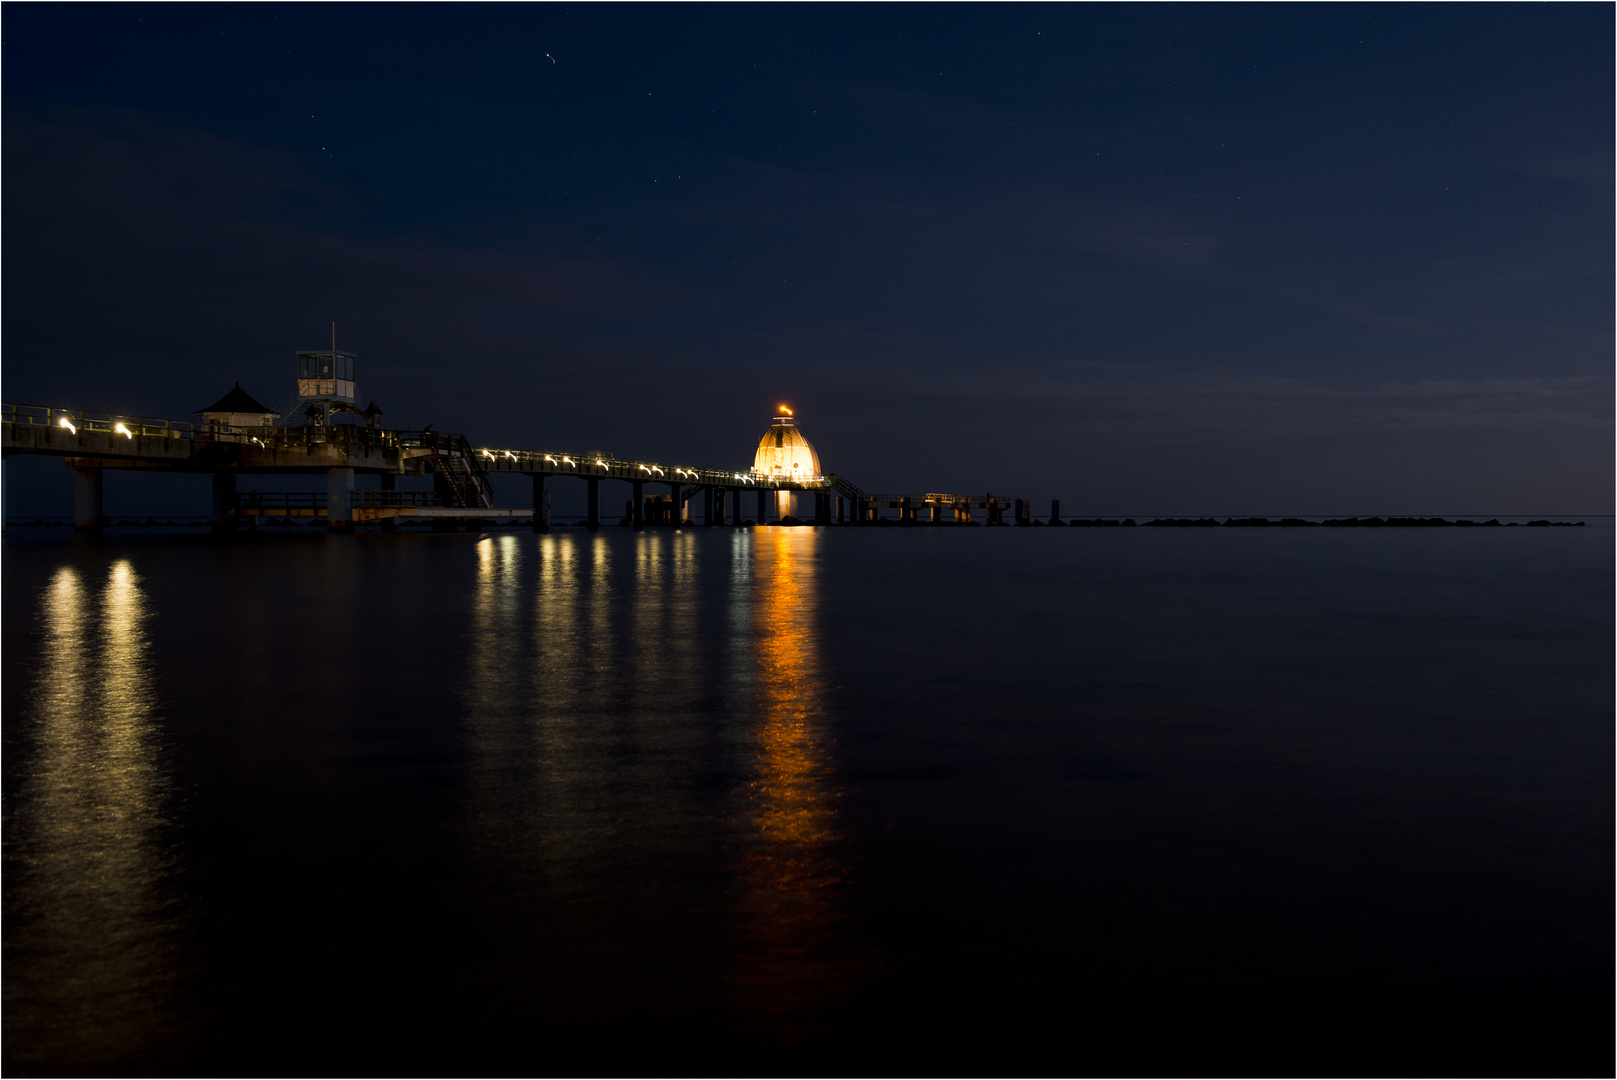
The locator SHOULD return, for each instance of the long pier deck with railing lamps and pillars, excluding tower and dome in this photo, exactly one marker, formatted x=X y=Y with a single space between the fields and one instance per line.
x=661 y=492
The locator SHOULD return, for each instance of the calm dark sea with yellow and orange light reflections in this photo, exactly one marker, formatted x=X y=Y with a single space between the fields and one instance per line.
x=851 y=801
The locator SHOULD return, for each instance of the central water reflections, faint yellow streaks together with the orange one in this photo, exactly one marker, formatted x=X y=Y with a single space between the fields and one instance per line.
x=652 y=780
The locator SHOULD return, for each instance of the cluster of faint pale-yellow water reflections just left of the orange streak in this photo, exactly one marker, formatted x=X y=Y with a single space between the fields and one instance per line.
x=583 y=812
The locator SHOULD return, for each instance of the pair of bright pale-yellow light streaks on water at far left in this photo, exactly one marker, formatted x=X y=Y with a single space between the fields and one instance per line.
x=91 y=929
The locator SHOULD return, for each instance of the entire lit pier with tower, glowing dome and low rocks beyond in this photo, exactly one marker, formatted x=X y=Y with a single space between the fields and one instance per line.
x=323 y=432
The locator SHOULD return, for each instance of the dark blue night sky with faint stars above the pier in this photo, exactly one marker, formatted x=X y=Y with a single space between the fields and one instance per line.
x=1147 y=259
